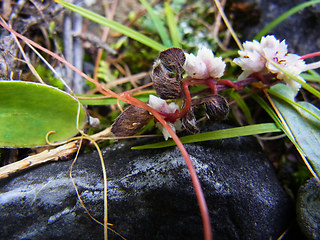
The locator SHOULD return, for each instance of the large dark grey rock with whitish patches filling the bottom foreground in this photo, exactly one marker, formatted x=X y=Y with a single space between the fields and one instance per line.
x=150 y=195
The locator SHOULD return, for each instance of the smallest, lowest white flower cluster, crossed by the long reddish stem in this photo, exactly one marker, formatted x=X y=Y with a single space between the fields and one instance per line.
x=162 y=106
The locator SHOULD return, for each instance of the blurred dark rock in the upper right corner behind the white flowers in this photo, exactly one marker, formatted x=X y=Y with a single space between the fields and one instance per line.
x=299 y=30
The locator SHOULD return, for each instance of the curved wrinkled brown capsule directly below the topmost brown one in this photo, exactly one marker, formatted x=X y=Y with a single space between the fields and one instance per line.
x=165 y=87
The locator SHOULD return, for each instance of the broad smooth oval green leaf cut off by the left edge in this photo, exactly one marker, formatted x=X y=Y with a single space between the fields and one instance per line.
x=28 y=111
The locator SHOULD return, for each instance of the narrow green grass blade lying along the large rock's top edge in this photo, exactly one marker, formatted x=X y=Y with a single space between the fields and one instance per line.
x=218 y=134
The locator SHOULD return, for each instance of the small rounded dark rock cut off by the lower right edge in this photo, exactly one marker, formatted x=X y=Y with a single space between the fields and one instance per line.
x=308 y=209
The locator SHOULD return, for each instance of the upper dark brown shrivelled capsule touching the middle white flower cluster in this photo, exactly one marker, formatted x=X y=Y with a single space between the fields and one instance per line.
x=173 y=60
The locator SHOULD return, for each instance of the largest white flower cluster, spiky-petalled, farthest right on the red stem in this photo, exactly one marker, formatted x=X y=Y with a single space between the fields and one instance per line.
x=263 y=57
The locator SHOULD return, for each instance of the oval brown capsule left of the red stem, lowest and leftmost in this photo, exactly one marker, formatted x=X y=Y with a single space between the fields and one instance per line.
x=130 y=121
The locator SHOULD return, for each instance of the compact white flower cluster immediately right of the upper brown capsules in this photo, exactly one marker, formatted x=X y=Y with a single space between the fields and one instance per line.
x=204 y=65
